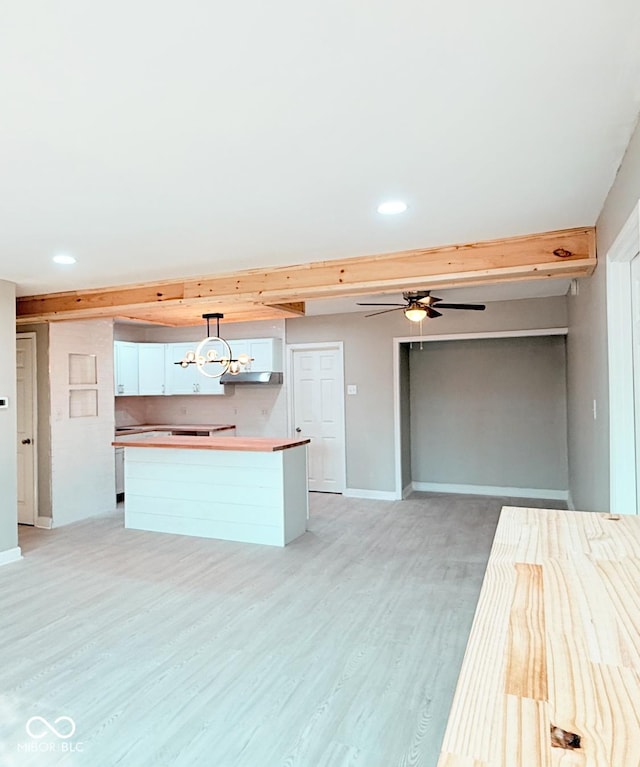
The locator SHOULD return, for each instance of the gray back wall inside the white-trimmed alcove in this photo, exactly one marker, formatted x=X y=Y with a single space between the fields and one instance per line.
x=490 y=412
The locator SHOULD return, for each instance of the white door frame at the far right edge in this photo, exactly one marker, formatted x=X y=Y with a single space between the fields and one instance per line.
x=623 y=450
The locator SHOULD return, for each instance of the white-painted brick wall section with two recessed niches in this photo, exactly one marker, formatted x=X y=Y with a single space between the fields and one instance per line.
x=82 y=465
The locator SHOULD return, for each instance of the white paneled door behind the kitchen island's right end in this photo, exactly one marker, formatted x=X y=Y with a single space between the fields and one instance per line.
x=318 y=412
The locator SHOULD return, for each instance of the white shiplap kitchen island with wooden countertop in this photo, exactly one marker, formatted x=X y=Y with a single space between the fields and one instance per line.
x=250 y=489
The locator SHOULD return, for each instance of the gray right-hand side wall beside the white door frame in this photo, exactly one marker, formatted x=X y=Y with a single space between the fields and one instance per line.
x=587 y=349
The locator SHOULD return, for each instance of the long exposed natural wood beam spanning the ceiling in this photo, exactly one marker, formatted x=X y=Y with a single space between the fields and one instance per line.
x=566 y=253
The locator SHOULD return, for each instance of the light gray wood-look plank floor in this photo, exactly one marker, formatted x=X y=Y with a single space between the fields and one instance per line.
x=341 y=650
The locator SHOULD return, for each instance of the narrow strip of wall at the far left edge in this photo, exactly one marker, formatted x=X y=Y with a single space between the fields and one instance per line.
x=8 y=424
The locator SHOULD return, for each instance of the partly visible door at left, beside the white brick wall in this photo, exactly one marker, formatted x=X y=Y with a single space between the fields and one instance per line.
x=26 y=417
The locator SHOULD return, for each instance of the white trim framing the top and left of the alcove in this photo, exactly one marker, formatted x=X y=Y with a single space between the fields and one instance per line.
x=401 y=492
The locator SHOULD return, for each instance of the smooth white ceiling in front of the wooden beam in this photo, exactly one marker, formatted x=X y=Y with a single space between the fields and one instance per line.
x=153 y=139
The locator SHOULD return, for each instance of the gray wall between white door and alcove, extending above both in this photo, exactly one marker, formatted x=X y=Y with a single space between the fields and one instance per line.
x=368 y=359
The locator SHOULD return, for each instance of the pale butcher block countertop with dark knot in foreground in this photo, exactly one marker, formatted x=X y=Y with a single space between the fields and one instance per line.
x=551 y=674
